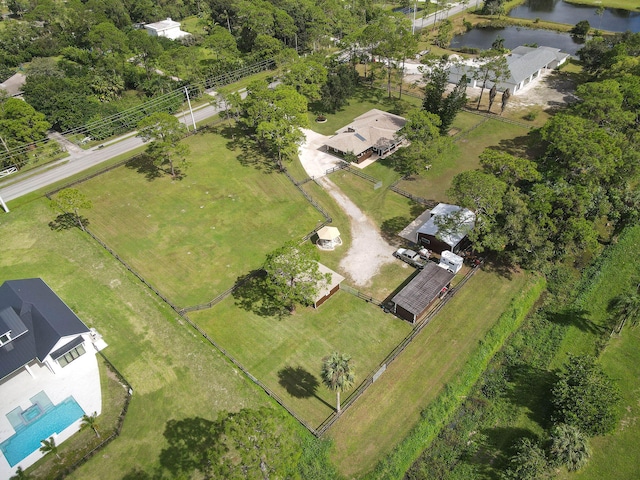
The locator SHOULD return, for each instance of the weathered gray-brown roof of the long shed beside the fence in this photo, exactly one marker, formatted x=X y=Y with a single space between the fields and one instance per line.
x=416 y=296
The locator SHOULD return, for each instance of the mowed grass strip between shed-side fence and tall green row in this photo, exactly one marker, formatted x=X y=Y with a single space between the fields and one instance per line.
x=390 y=408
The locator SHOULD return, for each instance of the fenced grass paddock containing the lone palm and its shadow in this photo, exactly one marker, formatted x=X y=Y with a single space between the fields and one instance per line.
x=286 y=353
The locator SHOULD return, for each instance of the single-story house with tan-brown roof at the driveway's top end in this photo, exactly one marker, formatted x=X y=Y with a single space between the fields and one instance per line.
x=372 y=133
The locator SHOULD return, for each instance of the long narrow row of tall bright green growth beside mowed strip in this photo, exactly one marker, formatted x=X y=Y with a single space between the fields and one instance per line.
x=438 y=413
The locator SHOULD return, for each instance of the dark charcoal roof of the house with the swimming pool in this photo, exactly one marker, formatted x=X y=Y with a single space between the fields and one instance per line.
x=43 y=314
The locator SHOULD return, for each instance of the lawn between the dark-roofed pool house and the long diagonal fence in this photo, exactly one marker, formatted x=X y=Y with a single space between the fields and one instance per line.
x=174 y=374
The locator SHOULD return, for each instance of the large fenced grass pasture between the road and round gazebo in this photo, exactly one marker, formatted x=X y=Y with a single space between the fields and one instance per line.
x=192 y=238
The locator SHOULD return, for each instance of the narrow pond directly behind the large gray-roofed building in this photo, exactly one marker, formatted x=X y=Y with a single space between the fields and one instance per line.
x=482 y=38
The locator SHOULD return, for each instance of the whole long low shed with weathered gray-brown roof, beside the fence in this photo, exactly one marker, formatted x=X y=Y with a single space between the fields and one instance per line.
x=413 y=301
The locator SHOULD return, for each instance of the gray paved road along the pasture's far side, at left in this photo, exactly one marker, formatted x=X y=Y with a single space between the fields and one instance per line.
x=77 y=162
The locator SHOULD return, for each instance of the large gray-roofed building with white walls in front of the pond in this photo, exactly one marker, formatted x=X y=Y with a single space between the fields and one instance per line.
x=526 y=64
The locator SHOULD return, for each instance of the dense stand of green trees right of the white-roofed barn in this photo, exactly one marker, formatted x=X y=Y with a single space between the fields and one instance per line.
x=531 y=212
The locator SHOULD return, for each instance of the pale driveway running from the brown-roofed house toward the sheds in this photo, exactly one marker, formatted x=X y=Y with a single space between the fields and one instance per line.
x=369 y=251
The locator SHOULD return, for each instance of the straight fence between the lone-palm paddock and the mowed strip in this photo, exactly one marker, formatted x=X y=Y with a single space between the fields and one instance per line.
x=372 y=377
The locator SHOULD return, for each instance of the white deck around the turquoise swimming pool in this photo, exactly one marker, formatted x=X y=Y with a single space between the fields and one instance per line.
x=79 y=379
